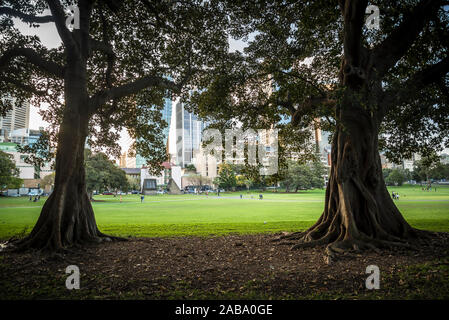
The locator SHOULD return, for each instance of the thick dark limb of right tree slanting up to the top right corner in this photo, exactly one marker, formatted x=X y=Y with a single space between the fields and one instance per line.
x=387 y=53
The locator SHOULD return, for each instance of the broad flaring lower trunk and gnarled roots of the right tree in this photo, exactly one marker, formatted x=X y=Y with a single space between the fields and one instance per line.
x=359 y=213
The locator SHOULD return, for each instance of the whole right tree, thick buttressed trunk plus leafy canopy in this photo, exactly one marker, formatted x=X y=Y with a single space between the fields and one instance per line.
x=311 y=63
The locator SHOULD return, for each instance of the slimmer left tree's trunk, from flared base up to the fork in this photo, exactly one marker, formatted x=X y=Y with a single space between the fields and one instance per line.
x=67 y=217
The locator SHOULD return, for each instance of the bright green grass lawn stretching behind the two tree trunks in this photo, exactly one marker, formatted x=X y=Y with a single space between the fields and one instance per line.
x=174 y=215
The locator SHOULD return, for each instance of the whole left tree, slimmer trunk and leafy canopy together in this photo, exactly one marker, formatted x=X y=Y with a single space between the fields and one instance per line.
x=116 y=63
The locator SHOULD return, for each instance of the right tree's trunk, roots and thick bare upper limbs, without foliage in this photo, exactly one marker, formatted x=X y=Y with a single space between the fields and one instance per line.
x=359 y=212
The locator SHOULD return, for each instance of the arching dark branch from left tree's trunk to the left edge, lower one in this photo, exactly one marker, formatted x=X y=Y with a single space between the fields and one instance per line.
x=34 y=58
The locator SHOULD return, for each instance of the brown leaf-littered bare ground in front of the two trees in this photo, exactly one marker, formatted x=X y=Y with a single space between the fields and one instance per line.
x=227 y=267
